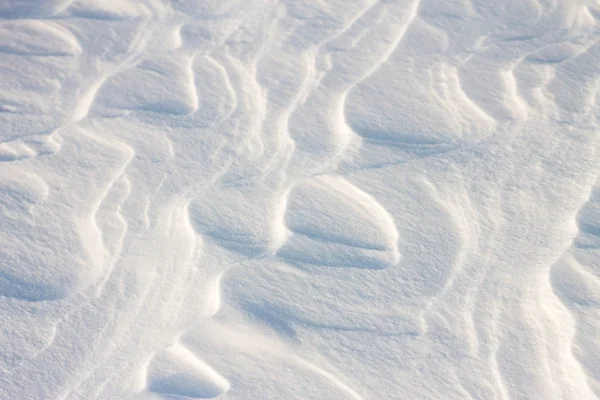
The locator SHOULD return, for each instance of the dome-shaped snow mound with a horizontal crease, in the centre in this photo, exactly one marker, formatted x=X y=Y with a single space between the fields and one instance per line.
x=334 y=223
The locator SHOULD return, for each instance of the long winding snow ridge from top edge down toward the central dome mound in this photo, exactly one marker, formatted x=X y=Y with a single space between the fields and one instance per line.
x=319 y=127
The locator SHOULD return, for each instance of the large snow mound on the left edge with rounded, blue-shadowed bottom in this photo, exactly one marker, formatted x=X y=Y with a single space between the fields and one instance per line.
x=79 y=249
